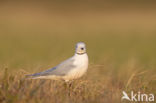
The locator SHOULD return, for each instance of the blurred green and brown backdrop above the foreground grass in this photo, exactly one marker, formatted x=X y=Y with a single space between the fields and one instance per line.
x=40 y=34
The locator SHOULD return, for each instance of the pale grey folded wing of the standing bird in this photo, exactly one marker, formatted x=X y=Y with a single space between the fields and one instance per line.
x=60 y=70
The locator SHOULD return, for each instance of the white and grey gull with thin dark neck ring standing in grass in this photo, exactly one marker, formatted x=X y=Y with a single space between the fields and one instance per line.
x=72 y=68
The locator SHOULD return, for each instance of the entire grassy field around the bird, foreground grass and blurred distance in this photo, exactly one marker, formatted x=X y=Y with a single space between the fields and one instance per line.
x=121 y=45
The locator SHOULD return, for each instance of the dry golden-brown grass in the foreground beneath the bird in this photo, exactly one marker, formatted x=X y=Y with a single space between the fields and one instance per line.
x=100 y=85
